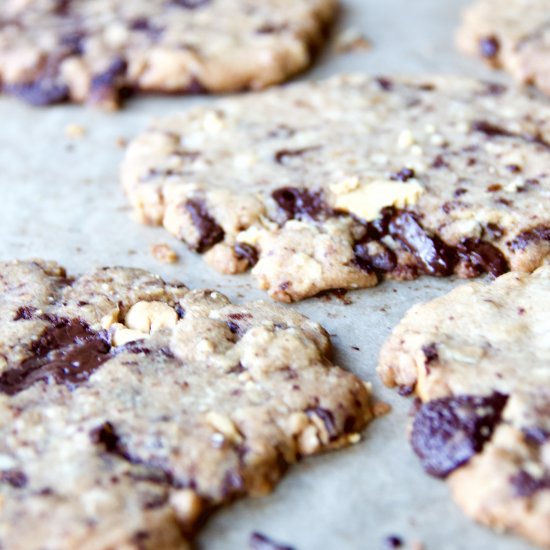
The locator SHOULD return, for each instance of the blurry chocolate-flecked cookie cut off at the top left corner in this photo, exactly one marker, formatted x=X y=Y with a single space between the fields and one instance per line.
x=98 y=52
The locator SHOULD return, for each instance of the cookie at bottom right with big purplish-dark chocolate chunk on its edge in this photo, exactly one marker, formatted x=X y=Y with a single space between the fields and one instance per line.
x=479 y=360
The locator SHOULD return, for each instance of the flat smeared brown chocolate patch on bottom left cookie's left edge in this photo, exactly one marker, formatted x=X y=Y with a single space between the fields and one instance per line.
x=67 y=352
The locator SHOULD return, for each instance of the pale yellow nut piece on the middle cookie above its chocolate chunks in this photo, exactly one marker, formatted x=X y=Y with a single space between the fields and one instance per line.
x=369 y=199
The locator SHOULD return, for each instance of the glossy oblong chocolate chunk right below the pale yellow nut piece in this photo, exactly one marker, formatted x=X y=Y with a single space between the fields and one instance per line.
x=435 y=257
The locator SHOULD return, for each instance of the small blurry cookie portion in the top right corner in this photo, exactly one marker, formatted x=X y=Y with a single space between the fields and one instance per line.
x=514 y=35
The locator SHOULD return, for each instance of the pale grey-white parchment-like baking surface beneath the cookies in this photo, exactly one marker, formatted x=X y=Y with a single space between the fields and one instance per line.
x=60 y=199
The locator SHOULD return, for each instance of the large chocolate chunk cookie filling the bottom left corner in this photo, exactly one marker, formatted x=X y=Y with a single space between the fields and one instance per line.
x=130 y=407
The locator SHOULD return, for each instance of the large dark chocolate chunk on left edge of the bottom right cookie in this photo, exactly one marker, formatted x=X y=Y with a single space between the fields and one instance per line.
x=448 y=432
